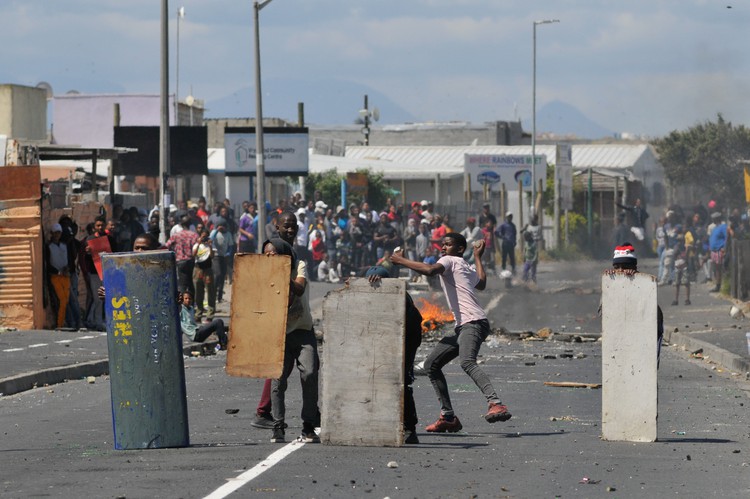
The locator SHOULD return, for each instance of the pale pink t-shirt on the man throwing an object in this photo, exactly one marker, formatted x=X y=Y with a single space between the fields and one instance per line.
x=458 y=282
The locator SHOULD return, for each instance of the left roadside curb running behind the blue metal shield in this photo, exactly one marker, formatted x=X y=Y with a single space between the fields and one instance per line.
x=51 y=376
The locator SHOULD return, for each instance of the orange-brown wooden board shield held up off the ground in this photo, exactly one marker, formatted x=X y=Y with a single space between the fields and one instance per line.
x=260 y=299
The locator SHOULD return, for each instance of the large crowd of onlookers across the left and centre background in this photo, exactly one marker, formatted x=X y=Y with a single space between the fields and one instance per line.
x=335 y=242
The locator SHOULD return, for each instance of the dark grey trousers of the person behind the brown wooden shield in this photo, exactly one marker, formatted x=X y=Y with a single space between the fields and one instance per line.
x=301 y=349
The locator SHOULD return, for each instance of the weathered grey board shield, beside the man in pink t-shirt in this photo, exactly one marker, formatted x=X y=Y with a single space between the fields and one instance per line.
x=363 y=364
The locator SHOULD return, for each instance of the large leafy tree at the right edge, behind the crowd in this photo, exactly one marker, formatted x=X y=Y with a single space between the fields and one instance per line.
x=707 y=155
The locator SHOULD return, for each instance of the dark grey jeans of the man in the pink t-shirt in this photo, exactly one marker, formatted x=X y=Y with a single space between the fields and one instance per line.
x=464 y=343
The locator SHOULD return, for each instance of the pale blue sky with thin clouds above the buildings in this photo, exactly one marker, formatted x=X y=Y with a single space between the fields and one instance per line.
x=645 y=67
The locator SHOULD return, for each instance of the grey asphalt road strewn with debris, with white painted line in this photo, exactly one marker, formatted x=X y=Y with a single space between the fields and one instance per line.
x=57 y=440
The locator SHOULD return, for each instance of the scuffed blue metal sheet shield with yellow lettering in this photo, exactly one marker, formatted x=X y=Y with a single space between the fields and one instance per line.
x=147 y=377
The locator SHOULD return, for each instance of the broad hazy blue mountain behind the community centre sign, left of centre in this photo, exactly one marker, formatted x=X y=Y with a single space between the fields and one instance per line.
x=326 y=102
